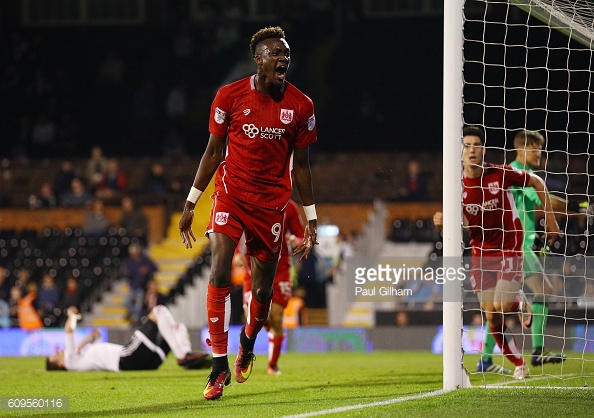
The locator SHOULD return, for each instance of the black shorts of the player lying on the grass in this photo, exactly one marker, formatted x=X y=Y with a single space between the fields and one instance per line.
x=146 y=350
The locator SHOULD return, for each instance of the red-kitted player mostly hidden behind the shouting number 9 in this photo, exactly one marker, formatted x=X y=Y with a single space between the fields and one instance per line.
x=282 y=288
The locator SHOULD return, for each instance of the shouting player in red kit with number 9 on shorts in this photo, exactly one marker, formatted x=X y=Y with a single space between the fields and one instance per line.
x=266 y=125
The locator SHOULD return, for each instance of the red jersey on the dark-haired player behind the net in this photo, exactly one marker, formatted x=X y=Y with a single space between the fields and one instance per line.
x=489 y=206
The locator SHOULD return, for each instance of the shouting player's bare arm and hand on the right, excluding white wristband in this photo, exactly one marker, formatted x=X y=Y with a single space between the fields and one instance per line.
x=303 y=182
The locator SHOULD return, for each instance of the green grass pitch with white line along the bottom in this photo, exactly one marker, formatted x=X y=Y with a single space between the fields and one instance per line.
x=379 y=384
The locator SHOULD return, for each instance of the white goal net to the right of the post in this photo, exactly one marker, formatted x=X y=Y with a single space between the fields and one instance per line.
x=527 y=64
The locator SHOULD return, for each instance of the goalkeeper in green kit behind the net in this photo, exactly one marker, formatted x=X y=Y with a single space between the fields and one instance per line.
x=528 y=145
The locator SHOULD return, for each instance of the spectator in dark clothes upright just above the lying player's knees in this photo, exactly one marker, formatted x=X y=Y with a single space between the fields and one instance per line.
x=137 y=269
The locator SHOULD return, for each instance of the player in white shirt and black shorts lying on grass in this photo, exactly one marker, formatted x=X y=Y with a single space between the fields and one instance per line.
x=147 y=349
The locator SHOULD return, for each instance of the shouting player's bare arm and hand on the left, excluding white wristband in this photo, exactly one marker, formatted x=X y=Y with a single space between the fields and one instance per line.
x=210 y=161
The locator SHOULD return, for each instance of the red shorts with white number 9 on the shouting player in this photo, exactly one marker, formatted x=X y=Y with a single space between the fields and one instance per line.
x=263 y=227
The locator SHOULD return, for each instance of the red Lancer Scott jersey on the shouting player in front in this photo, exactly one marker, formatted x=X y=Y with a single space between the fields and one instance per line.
x=261 y=135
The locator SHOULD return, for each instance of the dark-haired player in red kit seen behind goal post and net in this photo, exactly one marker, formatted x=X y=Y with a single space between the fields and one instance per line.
x=495 y=231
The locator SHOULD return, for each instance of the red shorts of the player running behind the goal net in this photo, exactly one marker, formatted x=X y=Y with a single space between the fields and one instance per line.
x=487 y=270
